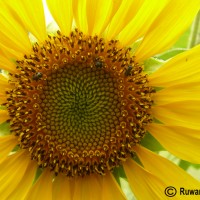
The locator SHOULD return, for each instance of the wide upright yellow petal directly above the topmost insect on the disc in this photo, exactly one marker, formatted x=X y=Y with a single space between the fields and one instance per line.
x=98 y=15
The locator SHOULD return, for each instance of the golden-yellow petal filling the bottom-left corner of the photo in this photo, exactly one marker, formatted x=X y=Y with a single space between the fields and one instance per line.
x=12 y=171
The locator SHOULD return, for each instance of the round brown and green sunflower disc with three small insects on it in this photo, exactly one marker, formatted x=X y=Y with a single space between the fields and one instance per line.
x=79 y=104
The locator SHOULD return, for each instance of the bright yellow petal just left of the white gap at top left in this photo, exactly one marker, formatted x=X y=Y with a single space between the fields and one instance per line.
x=31 y=15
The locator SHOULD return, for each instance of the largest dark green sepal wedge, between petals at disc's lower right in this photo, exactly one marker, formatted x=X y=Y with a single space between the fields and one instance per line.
x=151 y=143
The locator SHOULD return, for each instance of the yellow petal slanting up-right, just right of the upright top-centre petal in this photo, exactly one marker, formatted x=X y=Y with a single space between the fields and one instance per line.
x=127 y=10
